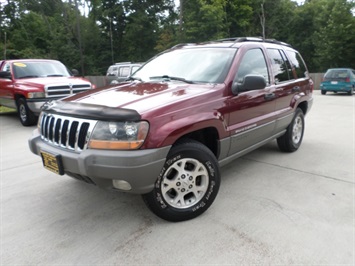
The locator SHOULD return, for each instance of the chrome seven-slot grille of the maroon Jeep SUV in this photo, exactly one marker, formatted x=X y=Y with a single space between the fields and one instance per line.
x=66 y=132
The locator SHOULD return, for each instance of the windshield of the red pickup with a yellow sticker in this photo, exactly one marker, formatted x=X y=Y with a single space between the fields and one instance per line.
x=39 y=69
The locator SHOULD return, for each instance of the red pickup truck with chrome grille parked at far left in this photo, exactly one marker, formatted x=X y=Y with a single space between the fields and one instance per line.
x=26 y=84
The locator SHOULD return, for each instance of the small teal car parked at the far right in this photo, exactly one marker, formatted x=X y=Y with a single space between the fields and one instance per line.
x=338 y=80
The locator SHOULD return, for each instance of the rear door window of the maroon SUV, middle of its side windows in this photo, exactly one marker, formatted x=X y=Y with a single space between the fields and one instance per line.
x=281 y=67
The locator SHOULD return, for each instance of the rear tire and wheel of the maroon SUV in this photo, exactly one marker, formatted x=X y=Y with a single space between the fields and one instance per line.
x=292 y=139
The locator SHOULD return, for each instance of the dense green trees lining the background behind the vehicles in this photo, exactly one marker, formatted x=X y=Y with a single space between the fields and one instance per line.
x=90 y=35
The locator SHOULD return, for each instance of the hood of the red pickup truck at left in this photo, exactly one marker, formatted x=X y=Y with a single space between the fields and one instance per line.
x=50 y=81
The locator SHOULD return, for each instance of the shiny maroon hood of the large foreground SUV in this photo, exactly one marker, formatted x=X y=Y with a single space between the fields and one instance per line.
x=143 y=97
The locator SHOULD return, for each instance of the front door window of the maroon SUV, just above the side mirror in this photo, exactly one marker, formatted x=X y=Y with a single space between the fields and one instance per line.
x=253 y=63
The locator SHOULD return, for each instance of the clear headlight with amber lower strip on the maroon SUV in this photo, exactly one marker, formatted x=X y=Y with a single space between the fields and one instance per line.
x=118 y=135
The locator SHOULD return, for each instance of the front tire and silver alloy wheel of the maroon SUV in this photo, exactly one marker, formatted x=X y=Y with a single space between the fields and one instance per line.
x=187 y=185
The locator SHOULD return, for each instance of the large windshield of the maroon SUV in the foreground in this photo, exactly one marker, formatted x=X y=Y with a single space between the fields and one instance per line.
x=205 y=65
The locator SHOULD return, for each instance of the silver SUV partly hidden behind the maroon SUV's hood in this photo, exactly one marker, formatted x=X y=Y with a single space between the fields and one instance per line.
x=121 y=71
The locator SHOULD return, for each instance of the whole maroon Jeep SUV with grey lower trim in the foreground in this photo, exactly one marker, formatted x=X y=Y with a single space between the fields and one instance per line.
x=187 y=112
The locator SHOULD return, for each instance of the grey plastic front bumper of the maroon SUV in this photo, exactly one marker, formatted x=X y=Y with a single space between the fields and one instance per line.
x=139 y=168
